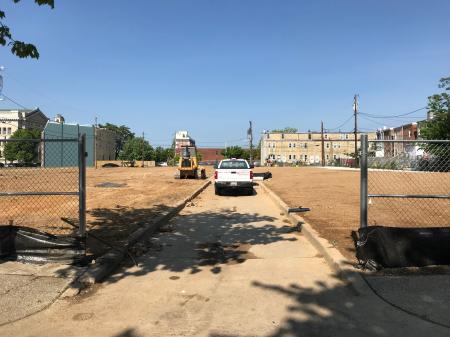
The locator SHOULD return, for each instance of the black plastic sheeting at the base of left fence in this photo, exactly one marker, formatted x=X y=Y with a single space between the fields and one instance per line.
x=30 y=245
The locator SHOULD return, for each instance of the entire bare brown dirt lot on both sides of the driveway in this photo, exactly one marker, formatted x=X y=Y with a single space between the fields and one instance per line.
x=120 y=200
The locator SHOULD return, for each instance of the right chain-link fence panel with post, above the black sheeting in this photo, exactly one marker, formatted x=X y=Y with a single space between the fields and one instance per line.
x=405 y=183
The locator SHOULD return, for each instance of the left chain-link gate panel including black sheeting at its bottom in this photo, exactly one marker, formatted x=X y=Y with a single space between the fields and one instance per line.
x=43 y=198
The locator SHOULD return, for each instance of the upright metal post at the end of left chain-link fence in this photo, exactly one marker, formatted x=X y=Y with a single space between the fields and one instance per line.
x=82 y=184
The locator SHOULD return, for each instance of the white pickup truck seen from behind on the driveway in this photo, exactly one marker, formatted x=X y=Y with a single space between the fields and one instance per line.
x=233 y=174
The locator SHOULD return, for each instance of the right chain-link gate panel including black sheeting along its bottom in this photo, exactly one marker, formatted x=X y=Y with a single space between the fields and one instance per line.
x=404 y=203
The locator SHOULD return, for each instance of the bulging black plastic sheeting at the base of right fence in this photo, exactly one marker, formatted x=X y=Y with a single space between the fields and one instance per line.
x=392 y=247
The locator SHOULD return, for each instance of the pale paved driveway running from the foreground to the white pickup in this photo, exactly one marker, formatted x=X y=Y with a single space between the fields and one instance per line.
x=226 y=266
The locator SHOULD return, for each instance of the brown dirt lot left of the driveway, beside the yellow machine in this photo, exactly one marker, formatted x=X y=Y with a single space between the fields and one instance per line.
x=119 y=200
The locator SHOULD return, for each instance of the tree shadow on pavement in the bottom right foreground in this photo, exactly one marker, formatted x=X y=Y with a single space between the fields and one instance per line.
x=338 y=310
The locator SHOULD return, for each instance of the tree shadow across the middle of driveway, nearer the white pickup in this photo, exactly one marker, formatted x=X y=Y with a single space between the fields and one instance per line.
x=204 y=241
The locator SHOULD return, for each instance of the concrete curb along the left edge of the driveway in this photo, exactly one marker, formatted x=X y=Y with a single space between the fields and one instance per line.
x=108 y=262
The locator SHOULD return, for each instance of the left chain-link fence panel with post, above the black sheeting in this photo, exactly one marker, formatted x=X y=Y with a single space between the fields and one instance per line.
x=42 y=185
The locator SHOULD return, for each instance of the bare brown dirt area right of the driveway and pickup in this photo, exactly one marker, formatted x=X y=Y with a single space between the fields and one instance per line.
x=333 y=196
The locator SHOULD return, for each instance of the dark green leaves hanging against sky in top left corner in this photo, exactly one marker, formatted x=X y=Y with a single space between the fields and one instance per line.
x=19 y=48
